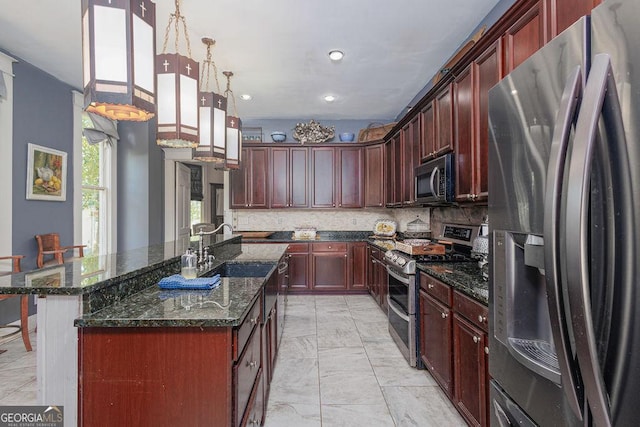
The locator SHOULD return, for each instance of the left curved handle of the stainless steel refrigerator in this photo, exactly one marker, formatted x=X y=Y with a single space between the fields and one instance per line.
x=553 y=277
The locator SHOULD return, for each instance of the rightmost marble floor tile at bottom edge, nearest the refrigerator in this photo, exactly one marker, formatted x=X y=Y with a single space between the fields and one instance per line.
x=421 y=407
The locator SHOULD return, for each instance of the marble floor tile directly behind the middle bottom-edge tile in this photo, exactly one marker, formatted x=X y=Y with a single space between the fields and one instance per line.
x=350 y=388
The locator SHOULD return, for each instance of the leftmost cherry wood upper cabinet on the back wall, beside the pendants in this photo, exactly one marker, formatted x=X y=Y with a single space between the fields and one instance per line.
x=249 y=188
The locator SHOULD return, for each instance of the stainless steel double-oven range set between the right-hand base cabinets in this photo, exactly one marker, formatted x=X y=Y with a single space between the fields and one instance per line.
x=403 y=288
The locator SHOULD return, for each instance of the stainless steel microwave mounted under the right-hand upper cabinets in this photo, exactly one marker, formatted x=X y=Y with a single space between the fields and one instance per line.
x=434 y=181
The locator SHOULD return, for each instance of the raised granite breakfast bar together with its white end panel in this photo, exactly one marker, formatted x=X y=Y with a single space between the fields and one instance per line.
x=88 y=285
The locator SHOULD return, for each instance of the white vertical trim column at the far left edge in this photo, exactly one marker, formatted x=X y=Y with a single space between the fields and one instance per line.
x=6 y=155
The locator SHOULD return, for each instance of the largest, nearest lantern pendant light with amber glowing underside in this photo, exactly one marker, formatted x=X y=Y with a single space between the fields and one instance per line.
x=118 y=58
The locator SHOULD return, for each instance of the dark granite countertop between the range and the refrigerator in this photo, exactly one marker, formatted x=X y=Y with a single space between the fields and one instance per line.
x=463 y=276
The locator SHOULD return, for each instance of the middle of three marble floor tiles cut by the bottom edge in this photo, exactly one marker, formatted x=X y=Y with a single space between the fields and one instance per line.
x=356 y=415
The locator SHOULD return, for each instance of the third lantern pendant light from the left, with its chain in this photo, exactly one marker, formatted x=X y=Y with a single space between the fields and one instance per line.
x=213 y=113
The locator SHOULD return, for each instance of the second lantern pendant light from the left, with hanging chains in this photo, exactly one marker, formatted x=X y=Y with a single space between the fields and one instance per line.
x=177 y=80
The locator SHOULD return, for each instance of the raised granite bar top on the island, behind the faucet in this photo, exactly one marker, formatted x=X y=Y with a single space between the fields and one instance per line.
x=92 y=273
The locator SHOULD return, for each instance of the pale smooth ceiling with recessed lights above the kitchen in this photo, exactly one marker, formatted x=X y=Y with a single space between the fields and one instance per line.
x=278 y=49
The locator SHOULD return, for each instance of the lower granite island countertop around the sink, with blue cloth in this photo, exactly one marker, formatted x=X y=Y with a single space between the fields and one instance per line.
x=227 y=305
